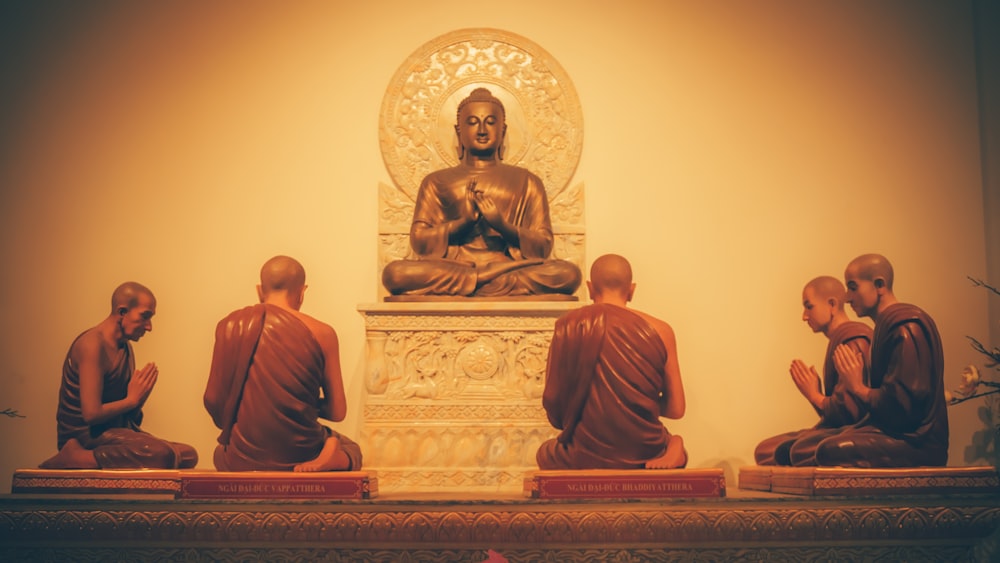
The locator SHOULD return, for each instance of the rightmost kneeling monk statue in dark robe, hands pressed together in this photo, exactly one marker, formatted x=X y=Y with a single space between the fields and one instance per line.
x=907 y=421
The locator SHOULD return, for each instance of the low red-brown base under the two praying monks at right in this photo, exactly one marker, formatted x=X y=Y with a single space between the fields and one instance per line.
x=850 y=481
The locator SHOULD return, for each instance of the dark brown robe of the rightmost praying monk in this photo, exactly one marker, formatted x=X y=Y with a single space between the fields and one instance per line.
x=907 y=422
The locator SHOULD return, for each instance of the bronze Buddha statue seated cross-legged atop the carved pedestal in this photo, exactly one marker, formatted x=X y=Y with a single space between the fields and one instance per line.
x=482 y=228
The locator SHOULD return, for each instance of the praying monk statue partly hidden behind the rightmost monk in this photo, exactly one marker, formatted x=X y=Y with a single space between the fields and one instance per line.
x=823 y=311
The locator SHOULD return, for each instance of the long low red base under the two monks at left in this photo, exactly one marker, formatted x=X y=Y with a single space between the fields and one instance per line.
x=196 y=484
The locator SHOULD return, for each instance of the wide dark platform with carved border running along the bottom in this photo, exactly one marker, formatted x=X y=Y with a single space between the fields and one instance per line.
x=742 y=526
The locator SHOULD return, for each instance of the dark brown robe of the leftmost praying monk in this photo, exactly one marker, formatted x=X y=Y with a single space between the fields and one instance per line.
x=118 y=443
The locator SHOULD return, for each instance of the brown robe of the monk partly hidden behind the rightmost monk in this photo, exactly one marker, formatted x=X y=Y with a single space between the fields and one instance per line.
x=840 y=409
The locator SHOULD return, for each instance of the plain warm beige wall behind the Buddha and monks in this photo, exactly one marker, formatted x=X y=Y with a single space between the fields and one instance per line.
x=732 y=151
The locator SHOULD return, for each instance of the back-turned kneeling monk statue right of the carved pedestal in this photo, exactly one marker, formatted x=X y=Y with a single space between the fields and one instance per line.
x=612 y=371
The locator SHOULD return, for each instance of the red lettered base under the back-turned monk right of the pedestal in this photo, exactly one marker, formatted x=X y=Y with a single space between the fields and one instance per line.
x=625 y=484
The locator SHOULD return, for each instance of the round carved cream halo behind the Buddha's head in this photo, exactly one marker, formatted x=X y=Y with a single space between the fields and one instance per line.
x=544 y=118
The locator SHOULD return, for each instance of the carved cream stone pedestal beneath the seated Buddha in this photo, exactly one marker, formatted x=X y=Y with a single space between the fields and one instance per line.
x=454 y=392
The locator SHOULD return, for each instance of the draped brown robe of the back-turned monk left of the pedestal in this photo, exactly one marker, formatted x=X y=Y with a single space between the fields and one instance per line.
x=264 y=392
